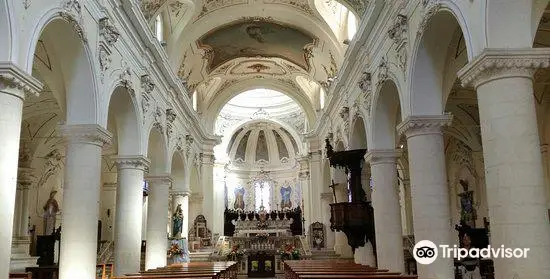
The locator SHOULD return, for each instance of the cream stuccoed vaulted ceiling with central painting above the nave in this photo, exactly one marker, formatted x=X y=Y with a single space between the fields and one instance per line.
x=216 y=46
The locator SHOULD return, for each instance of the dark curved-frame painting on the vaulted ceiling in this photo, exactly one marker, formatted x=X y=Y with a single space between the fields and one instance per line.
x=256 y=38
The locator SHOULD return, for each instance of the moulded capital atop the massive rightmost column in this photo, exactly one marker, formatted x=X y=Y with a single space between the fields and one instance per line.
x=497 y=63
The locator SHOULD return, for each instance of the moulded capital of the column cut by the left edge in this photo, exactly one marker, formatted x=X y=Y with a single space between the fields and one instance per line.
x=17 y=82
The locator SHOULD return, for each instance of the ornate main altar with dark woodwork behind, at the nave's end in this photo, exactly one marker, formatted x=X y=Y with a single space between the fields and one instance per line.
x=261 y=241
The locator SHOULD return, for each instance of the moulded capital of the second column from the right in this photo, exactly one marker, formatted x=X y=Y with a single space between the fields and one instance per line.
x=424 y=124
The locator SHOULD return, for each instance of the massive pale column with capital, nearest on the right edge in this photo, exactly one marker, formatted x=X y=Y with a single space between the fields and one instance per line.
x=513 y=165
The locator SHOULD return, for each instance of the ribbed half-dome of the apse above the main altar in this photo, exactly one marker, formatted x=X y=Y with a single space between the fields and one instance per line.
x=264 y=142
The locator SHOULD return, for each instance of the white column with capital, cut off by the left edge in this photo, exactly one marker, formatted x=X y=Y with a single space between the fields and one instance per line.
x=14 y=84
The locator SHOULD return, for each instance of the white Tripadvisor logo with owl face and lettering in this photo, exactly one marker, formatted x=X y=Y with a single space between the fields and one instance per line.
x=426 y=252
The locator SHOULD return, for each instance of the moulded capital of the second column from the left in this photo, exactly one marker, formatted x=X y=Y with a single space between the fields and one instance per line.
x=86 y=133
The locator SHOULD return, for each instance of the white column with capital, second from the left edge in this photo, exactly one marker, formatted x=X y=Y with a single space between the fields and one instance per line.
x=81 y=191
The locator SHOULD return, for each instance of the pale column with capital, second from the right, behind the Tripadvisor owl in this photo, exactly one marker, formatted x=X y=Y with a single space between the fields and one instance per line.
x=430 y=193
